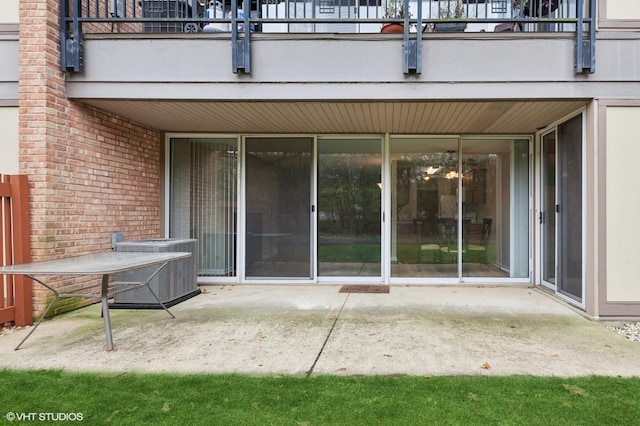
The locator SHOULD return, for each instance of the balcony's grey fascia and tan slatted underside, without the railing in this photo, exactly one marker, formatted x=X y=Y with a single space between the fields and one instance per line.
x=480 y=83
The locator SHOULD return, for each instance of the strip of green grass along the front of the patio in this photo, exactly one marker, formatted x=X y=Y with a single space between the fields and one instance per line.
x=132 y=399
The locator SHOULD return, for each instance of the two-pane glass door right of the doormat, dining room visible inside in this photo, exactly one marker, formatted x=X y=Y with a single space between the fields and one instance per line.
x=460 y=208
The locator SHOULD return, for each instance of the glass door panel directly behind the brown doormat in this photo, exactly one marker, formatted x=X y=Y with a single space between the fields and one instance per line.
x=349 y=207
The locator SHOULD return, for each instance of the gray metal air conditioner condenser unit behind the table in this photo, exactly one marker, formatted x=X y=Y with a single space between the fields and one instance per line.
x=176 y=282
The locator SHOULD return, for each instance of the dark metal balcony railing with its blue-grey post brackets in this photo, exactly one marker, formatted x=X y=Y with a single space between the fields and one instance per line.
x=415 y=17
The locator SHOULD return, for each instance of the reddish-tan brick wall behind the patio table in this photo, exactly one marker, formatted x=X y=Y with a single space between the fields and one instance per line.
x=91 y=173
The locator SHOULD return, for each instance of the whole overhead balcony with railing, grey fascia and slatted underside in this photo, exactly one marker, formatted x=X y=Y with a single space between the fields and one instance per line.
x=287 y=68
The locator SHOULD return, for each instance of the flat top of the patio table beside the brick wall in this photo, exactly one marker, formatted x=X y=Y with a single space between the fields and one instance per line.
x=93 y=264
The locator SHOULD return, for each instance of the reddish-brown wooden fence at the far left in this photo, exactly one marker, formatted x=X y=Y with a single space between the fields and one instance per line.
x=16 y=305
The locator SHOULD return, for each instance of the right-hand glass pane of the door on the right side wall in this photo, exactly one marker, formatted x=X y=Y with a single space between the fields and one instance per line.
x=570 y=208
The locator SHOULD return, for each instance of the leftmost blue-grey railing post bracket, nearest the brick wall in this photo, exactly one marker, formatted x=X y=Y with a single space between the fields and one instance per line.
x=71 y=45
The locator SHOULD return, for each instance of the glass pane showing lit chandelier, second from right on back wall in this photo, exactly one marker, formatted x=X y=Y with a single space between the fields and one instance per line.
x=424 y=207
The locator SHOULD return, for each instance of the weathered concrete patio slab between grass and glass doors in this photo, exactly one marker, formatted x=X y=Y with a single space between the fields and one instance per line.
x=315 y=329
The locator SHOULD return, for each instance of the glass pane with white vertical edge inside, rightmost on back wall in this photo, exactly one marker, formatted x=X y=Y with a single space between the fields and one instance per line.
x=495 y=208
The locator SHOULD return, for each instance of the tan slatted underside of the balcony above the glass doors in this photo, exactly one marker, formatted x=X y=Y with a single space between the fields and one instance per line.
x=491 y=117
